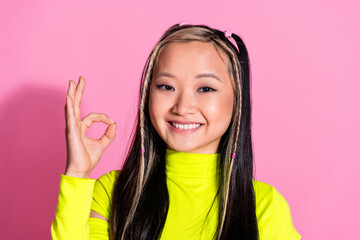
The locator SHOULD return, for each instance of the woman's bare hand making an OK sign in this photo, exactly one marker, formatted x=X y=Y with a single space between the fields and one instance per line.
x=83 y=153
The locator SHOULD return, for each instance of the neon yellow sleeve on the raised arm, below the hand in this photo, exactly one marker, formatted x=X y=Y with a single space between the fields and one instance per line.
x=73 y=210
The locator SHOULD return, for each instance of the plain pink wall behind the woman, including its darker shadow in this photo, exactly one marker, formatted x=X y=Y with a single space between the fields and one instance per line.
x=305 y=89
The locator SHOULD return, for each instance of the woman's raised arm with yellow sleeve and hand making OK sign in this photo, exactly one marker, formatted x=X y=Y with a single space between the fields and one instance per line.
x=72 y=219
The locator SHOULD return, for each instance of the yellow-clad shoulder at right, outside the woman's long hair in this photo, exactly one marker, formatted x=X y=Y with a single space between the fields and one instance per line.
x=273 y=212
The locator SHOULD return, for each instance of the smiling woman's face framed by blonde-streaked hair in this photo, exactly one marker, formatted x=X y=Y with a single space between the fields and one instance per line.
x=191 y=97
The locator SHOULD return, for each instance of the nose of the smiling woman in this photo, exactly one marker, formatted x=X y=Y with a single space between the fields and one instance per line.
x=185 y=104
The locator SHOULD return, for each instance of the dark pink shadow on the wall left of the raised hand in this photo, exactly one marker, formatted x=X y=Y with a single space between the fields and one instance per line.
x=33 y=155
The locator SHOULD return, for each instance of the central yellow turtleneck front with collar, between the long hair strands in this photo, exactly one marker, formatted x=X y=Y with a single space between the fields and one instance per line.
x=192 y=181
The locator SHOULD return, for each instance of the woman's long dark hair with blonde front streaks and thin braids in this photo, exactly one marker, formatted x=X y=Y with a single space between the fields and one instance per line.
x=140 y=198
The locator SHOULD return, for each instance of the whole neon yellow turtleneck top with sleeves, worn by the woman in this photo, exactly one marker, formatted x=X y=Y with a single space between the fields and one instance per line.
x=192 y=185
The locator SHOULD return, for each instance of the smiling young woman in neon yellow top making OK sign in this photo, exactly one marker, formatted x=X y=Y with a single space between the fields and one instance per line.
x=188 y=173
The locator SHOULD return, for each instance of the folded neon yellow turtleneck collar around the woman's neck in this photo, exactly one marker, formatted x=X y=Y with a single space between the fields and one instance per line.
x=191 y=165
